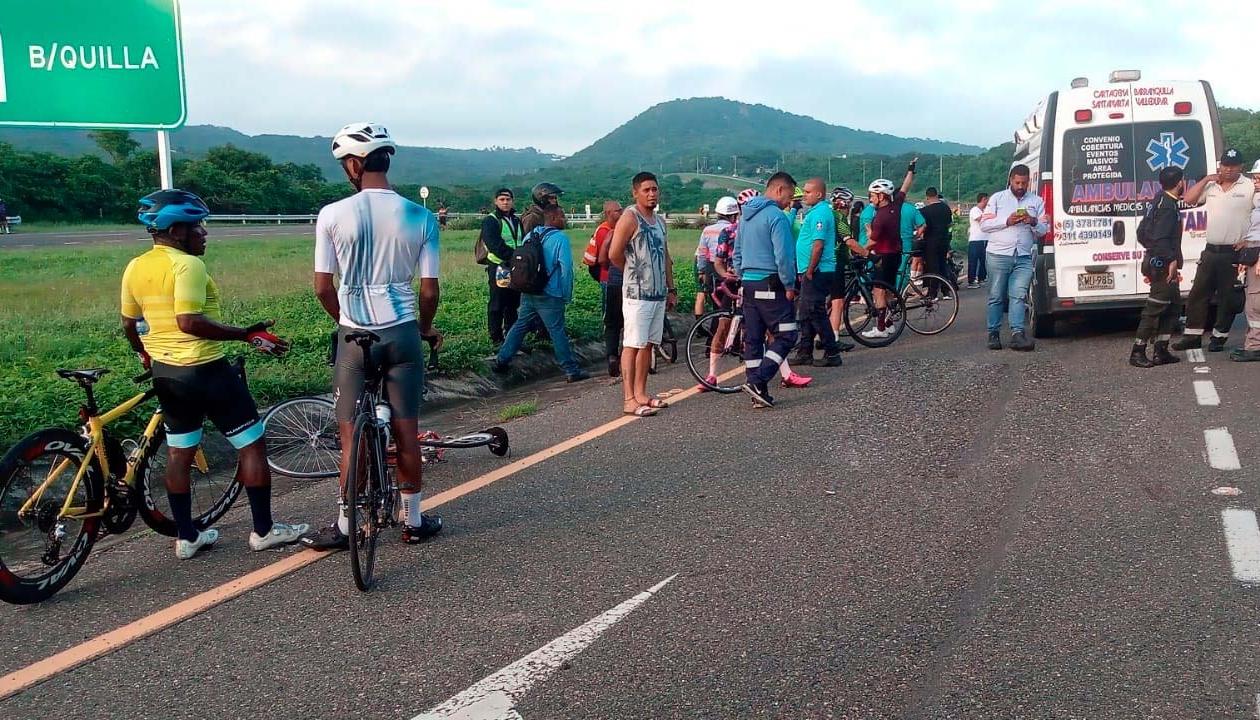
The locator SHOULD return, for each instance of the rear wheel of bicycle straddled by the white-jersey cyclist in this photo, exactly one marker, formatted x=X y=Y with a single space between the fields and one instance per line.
x=364 y=500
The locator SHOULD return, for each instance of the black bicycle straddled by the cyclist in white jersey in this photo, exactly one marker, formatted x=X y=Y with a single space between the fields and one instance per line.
x=370 y=494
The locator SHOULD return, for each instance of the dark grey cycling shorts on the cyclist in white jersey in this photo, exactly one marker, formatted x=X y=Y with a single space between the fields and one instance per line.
x=401 y=360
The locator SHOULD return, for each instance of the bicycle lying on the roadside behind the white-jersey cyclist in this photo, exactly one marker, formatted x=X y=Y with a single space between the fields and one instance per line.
x=303 y=439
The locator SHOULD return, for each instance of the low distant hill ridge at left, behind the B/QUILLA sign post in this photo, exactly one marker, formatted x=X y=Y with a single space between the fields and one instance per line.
x=413 y=165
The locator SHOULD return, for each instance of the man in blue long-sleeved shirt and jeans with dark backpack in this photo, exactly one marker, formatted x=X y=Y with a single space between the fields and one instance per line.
x=549 y=307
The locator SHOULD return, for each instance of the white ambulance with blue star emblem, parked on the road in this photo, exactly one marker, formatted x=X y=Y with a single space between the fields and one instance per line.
x=1096 y=156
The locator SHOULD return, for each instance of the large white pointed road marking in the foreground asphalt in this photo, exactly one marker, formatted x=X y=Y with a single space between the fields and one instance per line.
x=496 y=697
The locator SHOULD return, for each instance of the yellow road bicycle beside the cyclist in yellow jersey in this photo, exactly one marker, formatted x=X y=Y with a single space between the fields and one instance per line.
x=61 y=490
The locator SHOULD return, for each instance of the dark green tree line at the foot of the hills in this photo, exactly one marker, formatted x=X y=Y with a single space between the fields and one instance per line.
x=46 y=187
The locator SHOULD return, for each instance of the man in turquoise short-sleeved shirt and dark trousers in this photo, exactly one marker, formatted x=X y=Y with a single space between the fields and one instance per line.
x=816 y=273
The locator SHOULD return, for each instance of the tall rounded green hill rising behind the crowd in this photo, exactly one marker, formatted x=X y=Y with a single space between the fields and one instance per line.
x=676 y=134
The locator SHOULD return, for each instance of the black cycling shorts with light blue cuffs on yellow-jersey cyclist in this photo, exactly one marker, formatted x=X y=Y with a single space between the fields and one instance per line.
x=190 y=395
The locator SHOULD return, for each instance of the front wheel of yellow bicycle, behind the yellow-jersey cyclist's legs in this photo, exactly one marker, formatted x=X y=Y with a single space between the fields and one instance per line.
x=214 y=495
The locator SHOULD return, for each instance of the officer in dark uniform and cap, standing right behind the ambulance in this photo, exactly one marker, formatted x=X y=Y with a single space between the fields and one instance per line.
x=1161 y=234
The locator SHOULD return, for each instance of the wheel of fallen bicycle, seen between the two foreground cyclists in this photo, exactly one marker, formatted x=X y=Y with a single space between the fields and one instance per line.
x=303 y=439
